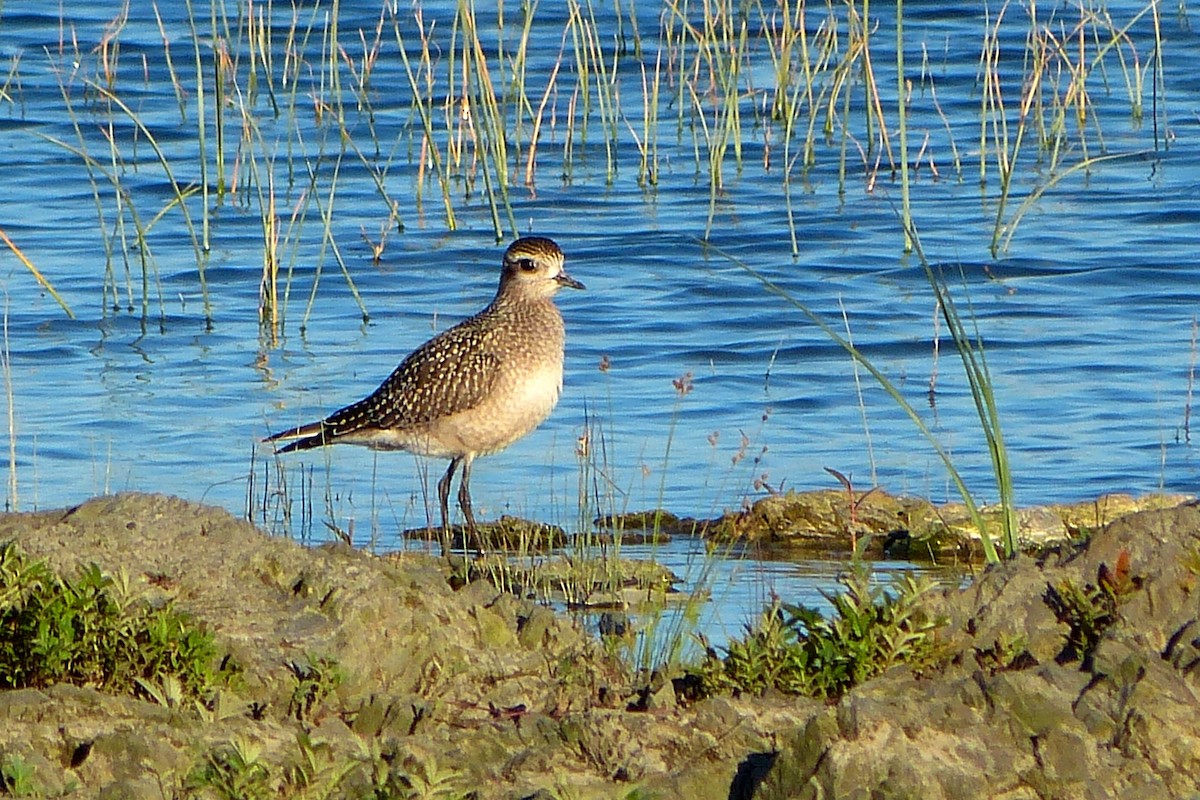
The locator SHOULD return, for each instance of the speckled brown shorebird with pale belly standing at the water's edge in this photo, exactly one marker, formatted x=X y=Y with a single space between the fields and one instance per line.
x=472 y=390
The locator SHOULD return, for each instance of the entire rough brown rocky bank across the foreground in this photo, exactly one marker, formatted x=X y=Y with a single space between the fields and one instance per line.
x=478 y=694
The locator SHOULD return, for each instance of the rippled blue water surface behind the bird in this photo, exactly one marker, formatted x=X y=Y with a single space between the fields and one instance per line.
x=1089 y=317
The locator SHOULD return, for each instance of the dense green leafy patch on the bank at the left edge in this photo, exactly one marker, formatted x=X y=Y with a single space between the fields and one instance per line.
x=88 y=630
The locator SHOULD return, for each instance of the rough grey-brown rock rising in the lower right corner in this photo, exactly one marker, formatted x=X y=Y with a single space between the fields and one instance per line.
x=1017 y=714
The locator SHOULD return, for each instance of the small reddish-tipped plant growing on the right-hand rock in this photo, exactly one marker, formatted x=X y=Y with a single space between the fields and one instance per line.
x=1091 y=610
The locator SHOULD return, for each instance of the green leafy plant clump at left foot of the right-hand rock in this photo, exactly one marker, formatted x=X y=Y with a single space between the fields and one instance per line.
x=797 y=651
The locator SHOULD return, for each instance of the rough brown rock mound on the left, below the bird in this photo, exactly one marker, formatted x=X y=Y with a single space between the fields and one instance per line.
x=467 y=691
